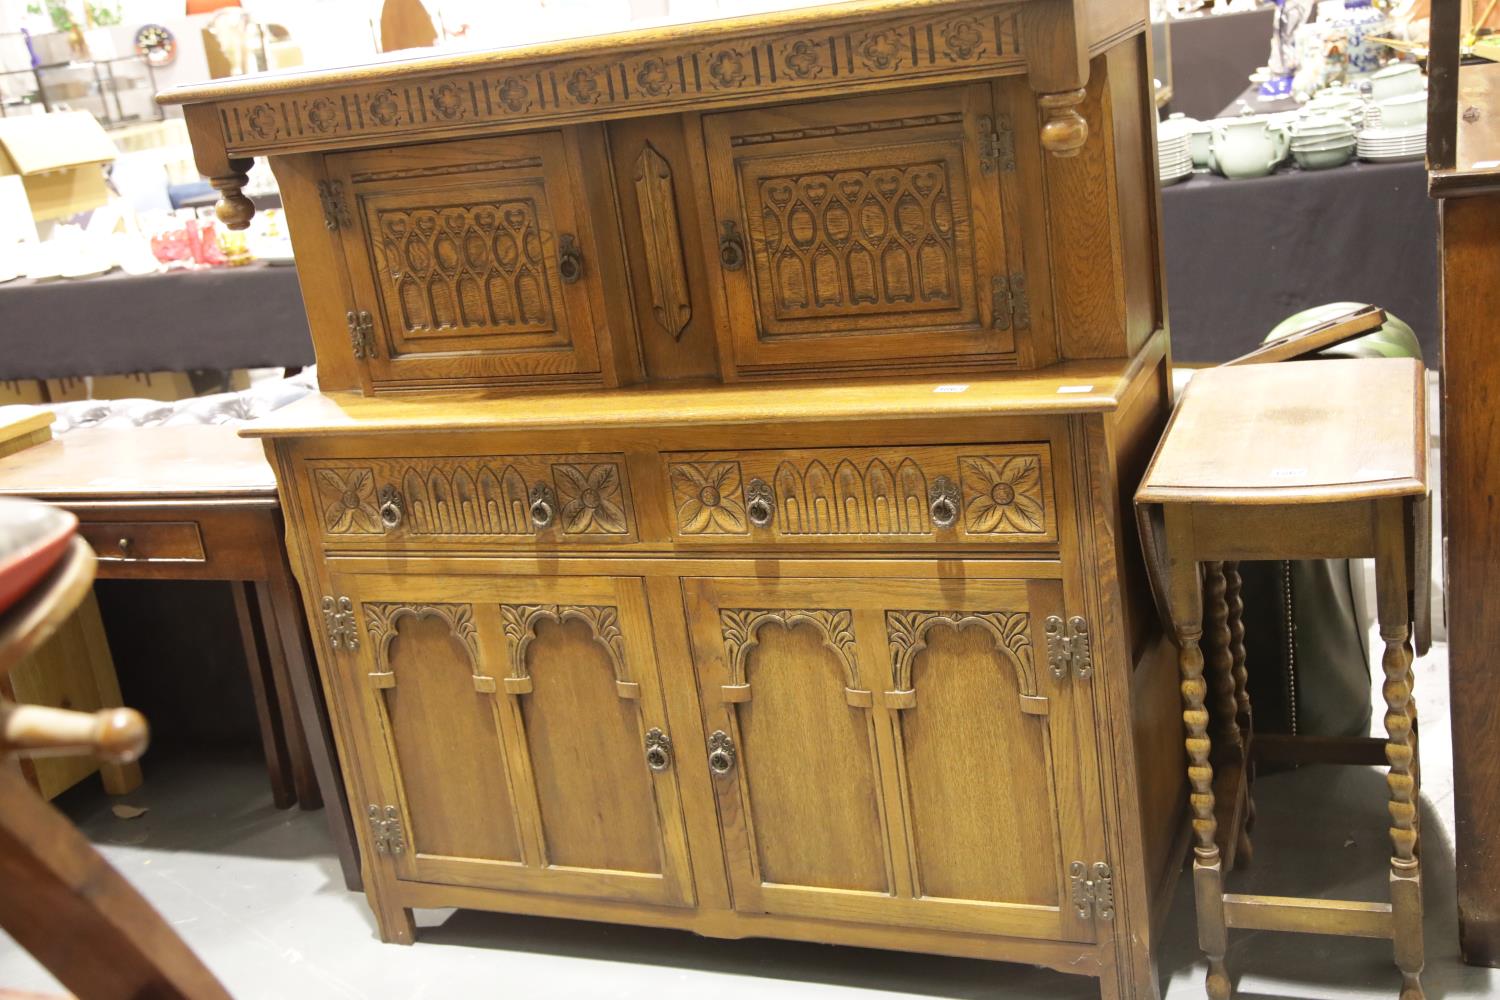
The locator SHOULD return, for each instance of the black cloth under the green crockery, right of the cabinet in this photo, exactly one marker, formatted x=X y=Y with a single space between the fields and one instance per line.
x=1243 y=256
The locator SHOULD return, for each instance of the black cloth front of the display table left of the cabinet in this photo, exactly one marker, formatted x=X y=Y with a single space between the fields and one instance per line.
x=115 y=325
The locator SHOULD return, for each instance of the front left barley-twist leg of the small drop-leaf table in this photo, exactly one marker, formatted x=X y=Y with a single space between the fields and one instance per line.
x=1186 y=596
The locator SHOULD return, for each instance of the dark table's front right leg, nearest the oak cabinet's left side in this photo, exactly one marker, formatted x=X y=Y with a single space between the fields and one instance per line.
x=304 y=677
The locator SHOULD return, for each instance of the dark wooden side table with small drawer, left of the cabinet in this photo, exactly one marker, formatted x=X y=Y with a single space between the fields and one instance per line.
x=199 y=503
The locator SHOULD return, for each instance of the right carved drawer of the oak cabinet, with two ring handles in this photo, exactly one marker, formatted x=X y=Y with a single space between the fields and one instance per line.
x=998 y=494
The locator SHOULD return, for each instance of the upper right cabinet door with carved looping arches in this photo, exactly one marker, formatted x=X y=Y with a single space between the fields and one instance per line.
x=866 y=230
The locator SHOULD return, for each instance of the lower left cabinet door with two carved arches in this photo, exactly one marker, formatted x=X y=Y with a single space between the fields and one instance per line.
x=512 y=720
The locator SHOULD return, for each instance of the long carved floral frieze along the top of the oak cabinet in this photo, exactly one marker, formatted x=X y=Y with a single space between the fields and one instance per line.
x=823 y=59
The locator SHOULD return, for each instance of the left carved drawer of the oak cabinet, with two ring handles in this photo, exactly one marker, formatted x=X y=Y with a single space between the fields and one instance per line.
x=520 y=499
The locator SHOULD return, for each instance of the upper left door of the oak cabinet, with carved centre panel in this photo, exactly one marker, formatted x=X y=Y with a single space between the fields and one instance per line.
x=470 y=262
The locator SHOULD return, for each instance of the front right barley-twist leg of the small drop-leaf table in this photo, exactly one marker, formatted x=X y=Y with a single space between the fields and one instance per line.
x=1396 y=632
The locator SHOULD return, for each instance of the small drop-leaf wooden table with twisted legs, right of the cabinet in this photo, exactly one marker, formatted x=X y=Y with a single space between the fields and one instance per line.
x=1301 y=461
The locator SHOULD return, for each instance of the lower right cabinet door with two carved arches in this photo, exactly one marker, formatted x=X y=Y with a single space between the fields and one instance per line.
x=901 y=752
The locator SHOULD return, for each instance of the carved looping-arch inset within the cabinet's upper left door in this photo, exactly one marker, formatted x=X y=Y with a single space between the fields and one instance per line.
x=464 y=268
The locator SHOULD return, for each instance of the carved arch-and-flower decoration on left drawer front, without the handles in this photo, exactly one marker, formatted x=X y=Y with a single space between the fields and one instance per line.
x=479 y=497
